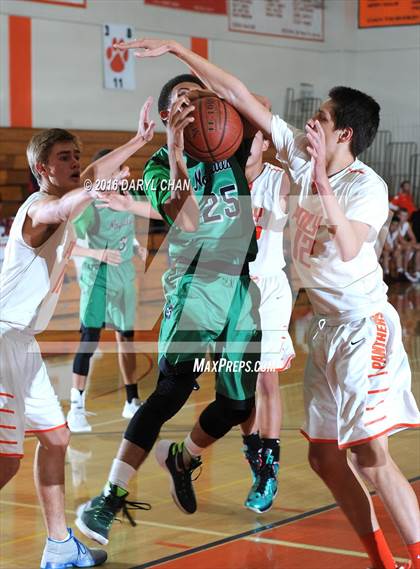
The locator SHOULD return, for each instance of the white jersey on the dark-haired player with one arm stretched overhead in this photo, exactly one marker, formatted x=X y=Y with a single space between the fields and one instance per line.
x=349 y=289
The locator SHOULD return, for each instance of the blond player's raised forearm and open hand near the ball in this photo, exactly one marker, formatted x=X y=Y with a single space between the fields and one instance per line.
x=103 y=168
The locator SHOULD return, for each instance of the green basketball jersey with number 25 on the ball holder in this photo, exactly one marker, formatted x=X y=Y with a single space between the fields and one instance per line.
x=226 y=229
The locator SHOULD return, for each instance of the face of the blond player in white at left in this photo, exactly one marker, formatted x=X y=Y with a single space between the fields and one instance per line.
x=62 y=168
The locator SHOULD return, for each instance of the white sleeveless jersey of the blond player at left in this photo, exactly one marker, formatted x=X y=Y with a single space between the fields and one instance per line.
x=31 y=278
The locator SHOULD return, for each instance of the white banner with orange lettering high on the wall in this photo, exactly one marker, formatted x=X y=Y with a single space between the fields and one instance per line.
x=300 y=19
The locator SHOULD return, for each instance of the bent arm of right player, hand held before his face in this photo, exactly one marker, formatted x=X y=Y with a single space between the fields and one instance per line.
x=348 y=235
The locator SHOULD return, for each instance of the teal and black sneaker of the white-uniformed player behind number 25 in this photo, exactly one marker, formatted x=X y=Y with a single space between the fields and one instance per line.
x=264 y=490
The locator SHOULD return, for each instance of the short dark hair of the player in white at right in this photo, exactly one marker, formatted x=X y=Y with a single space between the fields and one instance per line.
x=358 y=111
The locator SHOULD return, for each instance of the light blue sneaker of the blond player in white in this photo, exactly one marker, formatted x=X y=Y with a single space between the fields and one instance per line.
x=70 y=553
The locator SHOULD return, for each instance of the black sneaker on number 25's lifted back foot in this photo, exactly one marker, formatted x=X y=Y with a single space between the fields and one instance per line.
x=169 y=456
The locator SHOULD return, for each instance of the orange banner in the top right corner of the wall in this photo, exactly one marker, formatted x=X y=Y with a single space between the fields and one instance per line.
x=383 y=13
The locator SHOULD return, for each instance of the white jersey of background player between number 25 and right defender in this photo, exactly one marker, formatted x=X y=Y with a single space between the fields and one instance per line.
x=270 y=220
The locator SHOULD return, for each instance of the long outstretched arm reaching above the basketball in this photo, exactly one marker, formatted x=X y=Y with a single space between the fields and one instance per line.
x=219 y=81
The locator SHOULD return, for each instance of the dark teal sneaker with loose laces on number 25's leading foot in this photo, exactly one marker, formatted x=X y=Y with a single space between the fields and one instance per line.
x=95 y=518
